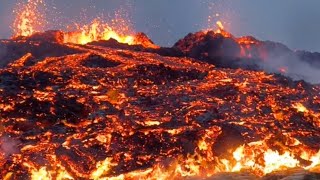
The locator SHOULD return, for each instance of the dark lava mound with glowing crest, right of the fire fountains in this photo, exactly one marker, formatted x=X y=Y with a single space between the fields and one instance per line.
x=225 y=50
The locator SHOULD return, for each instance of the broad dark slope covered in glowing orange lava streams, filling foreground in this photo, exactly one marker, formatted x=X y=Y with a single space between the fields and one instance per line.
x=125 y=114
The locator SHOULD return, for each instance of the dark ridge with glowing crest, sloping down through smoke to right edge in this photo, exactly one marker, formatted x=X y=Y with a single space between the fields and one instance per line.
x=225 y=50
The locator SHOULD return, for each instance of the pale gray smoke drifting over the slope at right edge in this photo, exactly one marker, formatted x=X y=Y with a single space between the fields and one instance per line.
x=297 y=65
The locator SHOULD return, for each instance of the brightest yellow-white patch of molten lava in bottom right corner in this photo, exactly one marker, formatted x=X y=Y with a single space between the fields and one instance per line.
x=260 y=158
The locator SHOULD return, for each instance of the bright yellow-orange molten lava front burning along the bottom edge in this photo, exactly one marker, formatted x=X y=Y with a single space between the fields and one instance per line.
x=256 y=157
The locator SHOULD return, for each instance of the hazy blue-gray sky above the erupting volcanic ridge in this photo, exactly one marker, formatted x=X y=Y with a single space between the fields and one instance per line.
x=295 y=23
